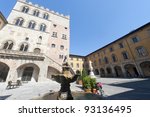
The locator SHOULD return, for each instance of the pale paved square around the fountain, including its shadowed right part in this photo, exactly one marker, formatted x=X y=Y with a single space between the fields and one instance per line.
x=126 y=89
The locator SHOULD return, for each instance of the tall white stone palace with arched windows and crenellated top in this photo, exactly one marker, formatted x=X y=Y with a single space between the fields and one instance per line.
x=34 y=43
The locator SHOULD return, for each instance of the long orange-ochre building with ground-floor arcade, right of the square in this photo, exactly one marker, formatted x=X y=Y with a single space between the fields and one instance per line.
x=128 y=56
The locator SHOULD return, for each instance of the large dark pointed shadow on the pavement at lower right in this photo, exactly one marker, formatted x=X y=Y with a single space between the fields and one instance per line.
x=141 y=91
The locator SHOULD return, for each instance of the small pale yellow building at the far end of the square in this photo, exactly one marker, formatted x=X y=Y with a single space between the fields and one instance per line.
x=76 y=62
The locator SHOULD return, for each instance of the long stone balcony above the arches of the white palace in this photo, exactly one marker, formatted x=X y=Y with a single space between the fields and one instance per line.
x=14 y=54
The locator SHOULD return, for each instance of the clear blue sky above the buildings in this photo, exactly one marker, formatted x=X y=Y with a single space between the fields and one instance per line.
x=95 y=23
